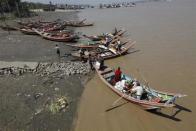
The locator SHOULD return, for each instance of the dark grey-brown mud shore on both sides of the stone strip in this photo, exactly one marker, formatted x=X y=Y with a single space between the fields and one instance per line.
x=24 y=98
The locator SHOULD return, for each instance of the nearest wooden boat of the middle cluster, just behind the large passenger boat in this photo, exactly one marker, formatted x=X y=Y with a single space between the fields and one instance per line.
x=106 y=53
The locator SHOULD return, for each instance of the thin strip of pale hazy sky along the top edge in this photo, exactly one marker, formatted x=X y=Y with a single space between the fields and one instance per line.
x=78 y=1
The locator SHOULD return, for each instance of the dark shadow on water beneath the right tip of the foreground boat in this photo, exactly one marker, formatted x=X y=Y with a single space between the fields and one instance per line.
x=174 y=113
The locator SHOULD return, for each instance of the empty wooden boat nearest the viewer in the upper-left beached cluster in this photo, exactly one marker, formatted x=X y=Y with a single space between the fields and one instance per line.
x=56 y=37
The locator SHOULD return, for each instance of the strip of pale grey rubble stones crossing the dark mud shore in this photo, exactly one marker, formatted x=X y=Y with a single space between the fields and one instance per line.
x=46 y=69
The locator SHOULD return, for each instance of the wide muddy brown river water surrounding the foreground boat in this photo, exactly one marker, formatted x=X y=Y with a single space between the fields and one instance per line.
x=165 y=55
